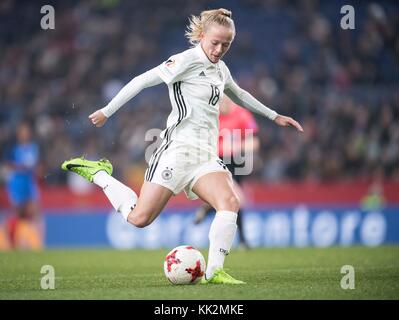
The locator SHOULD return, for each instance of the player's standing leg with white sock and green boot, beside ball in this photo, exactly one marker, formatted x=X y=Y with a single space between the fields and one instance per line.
x=217 y=189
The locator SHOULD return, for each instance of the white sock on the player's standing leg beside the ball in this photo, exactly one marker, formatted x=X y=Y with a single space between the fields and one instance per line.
x=221 y=236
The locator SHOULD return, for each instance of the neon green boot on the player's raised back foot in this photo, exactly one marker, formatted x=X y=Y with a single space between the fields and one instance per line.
x=87 y=168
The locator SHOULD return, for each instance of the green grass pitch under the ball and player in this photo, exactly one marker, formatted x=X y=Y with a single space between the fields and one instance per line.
x=275 y=273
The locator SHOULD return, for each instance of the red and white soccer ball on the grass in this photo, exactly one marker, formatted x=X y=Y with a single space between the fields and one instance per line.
x=184 y=265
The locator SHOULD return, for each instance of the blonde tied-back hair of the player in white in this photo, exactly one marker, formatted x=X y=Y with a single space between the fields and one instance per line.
x=199 y=24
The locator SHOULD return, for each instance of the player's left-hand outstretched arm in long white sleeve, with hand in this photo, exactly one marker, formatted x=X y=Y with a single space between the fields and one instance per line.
x=145 y=80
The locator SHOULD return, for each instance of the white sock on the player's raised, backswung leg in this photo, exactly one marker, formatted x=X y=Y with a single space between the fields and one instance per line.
x=122 y=198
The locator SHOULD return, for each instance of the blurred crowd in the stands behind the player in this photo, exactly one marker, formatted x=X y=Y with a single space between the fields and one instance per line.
x=342 y=85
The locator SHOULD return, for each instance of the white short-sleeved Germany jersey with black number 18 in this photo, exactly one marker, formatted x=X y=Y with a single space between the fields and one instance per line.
x=195 y=86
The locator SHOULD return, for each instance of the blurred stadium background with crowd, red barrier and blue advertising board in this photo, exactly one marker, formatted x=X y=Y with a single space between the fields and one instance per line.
x=306 y=190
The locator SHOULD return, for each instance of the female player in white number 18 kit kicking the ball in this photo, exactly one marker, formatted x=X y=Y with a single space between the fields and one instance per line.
x=187 y=158
